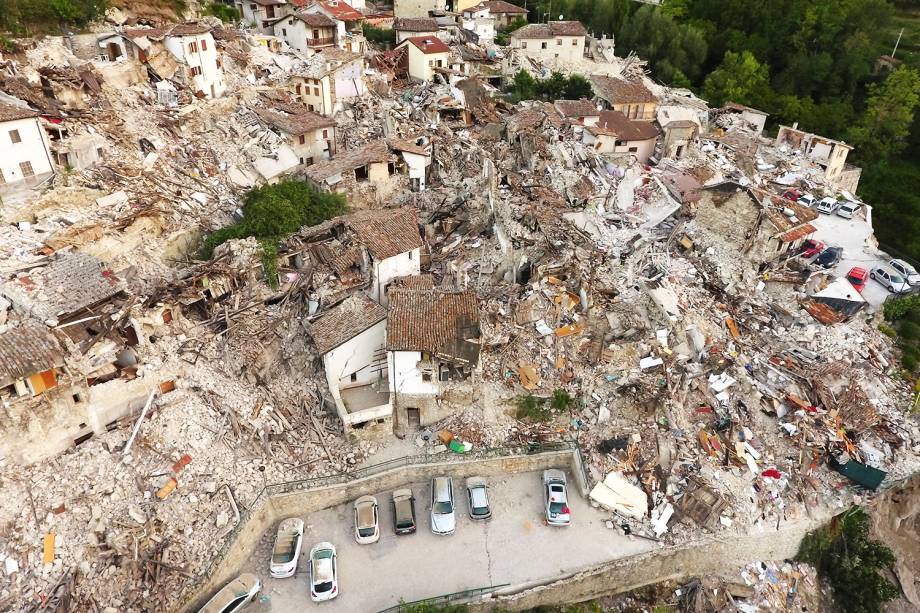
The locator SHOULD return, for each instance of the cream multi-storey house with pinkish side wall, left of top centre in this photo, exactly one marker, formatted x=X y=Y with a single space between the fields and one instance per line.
x=328 y=80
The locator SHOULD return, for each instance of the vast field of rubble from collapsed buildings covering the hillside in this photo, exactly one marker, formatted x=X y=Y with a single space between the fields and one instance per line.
x=710 y=388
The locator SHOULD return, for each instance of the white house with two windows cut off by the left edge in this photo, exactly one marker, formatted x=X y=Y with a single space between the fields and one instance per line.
x=25 y=156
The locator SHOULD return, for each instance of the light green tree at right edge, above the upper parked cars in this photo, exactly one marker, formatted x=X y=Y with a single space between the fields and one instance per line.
x=883 y=130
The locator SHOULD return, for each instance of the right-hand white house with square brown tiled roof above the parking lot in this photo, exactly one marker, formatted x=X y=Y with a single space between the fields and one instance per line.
x=433 y=343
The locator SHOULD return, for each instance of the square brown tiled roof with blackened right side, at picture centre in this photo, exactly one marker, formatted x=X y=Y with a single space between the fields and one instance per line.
x=442 y=323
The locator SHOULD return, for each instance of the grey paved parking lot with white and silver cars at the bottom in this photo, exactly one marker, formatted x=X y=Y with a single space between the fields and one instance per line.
x=513 y=547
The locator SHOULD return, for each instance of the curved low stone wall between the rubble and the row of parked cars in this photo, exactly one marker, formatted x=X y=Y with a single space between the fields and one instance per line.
x=269 y=511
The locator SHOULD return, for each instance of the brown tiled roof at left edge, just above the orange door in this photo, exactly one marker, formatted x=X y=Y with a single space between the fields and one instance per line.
x=27 y=349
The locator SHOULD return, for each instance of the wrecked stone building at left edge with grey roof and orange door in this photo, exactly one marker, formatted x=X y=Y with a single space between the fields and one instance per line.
x=63 y=386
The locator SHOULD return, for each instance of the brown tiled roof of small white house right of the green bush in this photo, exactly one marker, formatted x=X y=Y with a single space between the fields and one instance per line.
x=386 y=232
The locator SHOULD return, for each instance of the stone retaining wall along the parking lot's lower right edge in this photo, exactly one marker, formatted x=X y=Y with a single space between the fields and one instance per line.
x=712 y=555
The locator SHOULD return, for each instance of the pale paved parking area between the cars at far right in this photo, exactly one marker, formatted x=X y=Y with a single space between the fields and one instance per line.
x=853 y=236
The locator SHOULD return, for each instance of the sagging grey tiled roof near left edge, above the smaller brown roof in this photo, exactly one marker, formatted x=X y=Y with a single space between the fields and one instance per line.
x=69 y=284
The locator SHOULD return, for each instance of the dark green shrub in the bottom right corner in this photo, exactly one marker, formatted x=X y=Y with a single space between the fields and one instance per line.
x=850 y=561
